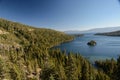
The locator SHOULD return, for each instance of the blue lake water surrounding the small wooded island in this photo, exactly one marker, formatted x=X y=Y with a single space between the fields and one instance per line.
x=107 y=47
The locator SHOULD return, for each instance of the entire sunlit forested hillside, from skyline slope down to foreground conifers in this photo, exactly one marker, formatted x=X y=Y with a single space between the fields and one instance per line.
x=25 y=54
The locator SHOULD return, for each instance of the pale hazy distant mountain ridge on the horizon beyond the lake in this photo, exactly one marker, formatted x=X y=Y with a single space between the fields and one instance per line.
x=96 y=30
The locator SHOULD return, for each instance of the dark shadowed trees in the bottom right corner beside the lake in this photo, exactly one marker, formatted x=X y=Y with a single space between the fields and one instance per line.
x=110 y=67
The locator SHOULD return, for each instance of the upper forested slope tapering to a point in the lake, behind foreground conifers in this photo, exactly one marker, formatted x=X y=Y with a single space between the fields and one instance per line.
x=27 y=34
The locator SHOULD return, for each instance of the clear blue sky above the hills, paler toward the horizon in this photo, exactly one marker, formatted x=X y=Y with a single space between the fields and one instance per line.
x=63 y=14
